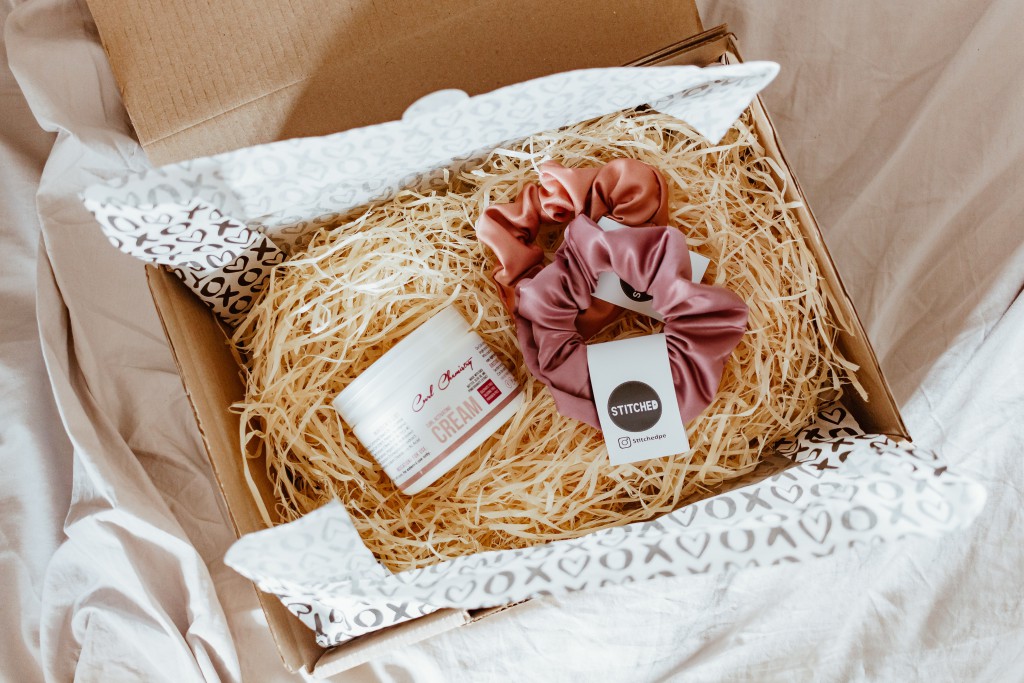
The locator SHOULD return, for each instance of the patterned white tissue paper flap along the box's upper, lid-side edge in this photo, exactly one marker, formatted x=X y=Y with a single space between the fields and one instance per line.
x=223 y=223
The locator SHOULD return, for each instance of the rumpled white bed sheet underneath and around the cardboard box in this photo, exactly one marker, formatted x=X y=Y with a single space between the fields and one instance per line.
x=904 y=124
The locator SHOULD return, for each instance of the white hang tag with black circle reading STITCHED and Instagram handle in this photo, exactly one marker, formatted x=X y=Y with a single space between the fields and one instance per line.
x=636 y=400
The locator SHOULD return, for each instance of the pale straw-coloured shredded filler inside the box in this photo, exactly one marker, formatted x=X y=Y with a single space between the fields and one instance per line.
x=357 y=290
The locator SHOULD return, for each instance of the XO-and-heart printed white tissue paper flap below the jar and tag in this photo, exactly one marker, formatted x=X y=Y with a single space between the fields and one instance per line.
x=833 y=488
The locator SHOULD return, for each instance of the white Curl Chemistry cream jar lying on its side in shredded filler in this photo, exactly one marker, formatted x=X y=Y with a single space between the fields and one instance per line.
x=431 y=401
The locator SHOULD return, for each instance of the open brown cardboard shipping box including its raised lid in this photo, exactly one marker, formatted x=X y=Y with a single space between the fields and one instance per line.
x=272 y=70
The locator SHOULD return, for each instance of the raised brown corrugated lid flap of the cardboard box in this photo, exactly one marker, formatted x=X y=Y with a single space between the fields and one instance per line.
x=200 y=77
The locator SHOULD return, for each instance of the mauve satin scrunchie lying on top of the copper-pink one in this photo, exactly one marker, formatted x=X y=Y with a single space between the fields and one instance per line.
x=703 y=324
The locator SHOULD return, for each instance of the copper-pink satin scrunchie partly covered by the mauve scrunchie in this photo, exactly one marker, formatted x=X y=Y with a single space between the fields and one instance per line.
x=627 y=191
